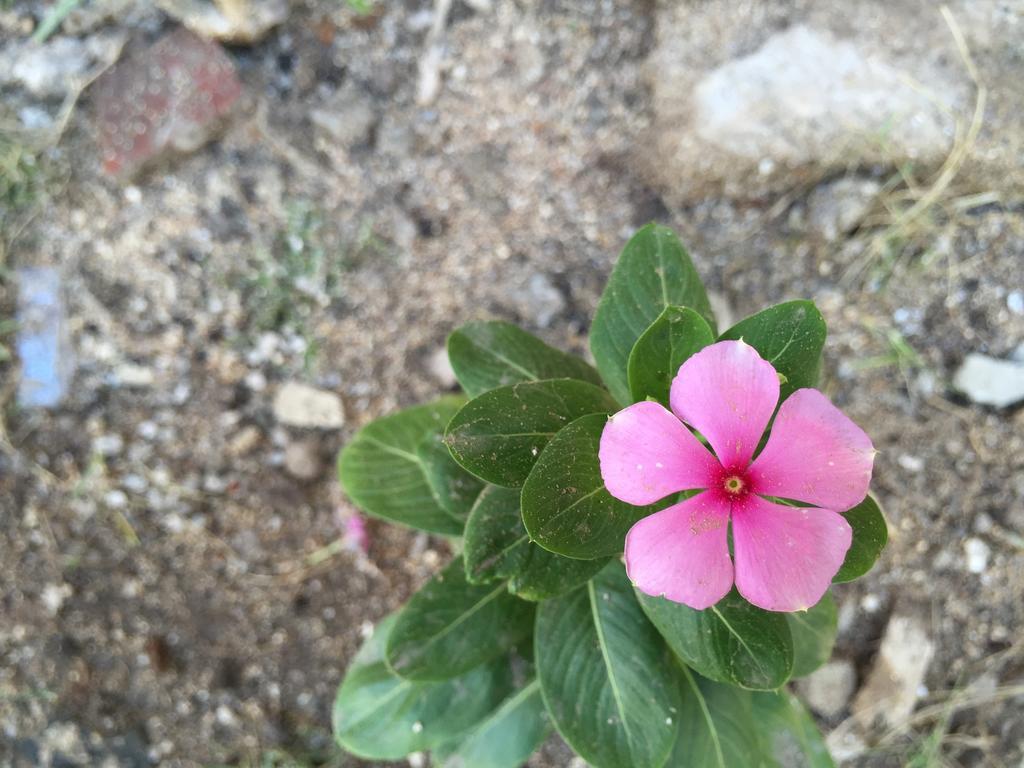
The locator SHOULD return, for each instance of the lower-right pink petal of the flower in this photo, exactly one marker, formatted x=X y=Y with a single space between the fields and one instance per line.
x=787 y=557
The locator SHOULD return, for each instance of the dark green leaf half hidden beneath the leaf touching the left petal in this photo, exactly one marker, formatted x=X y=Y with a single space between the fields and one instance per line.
x=497 y=546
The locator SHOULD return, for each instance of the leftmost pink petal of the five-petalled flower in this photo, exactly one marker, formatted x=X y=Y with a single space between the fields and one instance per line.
x=647 y=454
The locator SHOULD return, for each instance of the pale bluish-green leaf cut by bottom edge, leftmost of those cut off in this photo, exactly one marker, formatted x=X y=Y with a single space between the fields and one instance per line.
x=508 y=737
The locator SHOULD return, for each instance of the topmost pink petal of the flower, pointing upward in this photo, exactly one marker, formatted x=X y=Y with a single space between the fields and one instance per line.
x=728 y=393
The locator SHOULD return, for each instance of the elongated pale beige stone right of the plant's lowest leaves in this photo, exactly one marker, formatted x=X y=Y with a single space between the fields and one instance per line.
x=899 y=672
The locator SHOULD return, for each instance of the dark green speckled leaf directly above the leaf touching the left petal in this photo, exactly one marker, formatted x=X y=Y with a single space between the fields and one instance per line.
x=499 y=436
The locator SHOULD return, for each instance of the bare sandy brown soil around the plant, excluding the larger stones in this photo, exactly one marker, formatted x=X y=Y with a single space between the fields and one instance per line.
x=173 y=593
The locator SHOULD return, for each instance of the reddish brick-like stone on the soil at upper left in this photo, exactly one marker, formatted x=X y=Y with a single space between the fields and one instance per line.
x=172 y=97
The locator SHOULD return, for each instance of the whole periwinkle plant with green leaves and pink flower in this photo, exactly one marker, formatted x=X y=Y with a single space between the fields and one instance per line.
x=737 y=491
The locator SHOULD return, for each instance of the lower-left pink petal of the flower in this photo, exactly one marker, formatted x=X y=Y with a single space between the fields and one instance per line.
x=682 y=552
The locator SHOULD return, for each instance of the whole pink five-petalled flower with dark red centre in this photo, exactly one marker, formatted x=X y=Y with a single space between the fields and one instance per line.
x=784 y=558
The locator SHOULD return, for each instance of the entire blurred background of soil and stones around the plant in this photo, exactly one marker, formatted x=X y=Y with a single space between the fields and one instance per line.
x=232 y=233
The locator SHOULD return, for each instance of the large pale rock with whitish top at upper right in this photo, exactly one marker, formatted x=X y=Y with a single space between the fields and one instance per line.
x=803 y=105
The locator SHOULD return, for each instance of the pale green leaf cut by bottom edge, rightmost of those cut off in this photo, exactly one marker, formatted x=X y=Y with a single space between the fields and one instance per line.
x=789 y=736
